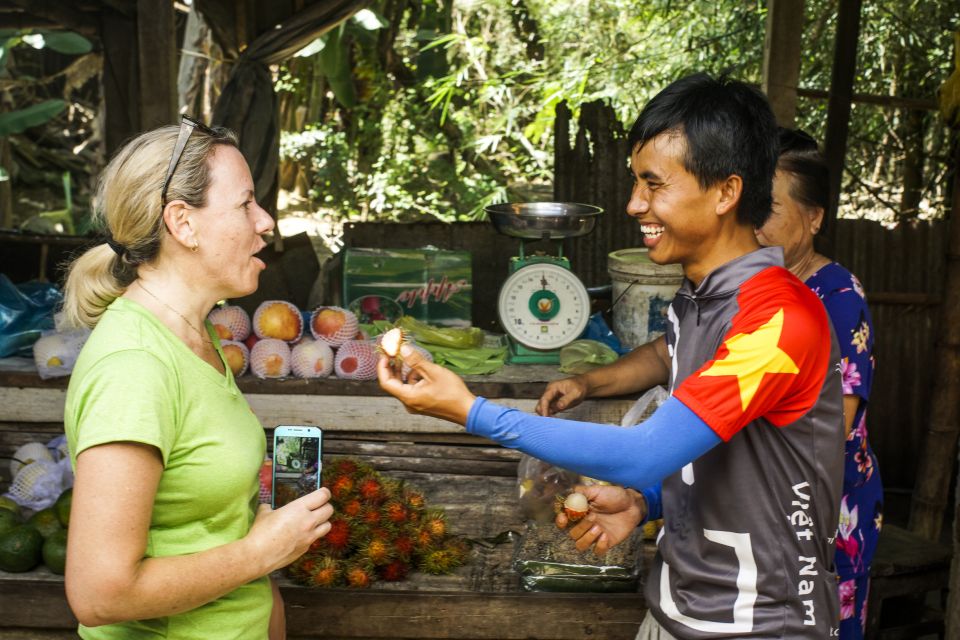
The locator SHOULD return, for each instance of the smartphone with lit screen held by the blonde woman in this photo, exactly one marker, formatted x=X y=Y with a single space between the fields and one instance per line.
x=296 y=463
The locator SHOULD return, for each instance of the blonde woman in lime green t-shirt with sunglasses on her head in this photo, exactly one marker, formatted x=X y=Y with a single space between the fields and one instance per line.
x=166 y=538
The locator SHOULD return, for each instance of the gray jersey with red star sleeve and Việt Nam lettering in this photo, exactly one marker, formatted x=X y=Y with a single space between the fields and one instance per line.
x=748 y=543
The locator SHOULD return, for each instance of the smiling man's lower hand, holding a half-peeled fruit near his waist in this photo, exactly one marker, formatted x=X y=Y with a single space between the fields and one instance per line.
x=614 y=513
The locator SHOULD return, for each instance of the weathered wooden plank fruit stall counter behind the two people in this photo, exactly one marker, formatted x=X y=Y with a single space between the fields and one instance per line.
x=471 y=478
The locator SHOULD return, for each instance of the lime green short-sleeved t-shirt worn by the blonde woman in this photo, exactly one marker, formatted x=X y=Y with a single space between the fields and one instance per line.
x=135 y=381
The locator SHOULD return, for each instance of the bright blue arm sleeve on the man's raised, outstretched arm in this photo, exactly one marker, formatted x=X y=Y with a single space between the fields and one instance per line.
x=637 y=456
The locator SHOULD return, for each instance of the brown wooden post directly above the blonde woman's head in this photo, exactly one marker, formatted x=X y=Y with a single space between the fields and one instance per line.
x=157 y=56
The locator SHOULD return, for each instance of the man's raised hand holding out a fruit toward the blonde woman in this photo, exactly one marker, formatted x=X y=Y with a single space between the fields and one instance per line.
x=430 y=389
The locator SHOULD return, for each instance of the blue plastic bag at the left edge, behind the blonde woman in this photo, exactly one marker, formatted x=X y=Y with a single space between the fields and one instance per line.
x=26 y=311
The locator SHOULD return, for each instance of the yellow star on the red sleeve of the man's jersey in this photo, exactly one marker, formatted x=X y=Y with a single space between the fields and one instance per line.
x=751 y=355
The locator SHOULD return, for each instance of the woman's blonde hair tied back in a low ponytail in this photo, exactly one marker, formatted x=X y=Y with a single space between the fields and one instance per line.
x=127 y=207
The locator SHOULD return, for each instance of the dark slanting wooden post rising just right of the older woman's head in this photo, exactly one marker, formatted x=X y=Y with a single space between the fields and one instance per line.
x=838 y=106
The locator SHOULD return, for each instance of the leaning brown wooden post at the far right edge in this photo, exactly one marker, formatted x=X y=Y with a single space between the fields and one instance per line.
x=940 y=443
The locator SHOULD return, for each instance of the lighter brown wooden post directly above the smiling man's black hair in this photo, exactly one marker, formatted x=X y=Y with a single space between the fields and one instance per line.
x=781 y=58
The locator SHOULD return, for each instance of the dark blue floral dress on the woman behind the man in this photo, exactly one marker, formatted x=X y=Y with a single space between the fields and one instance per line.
x=861 y=508
